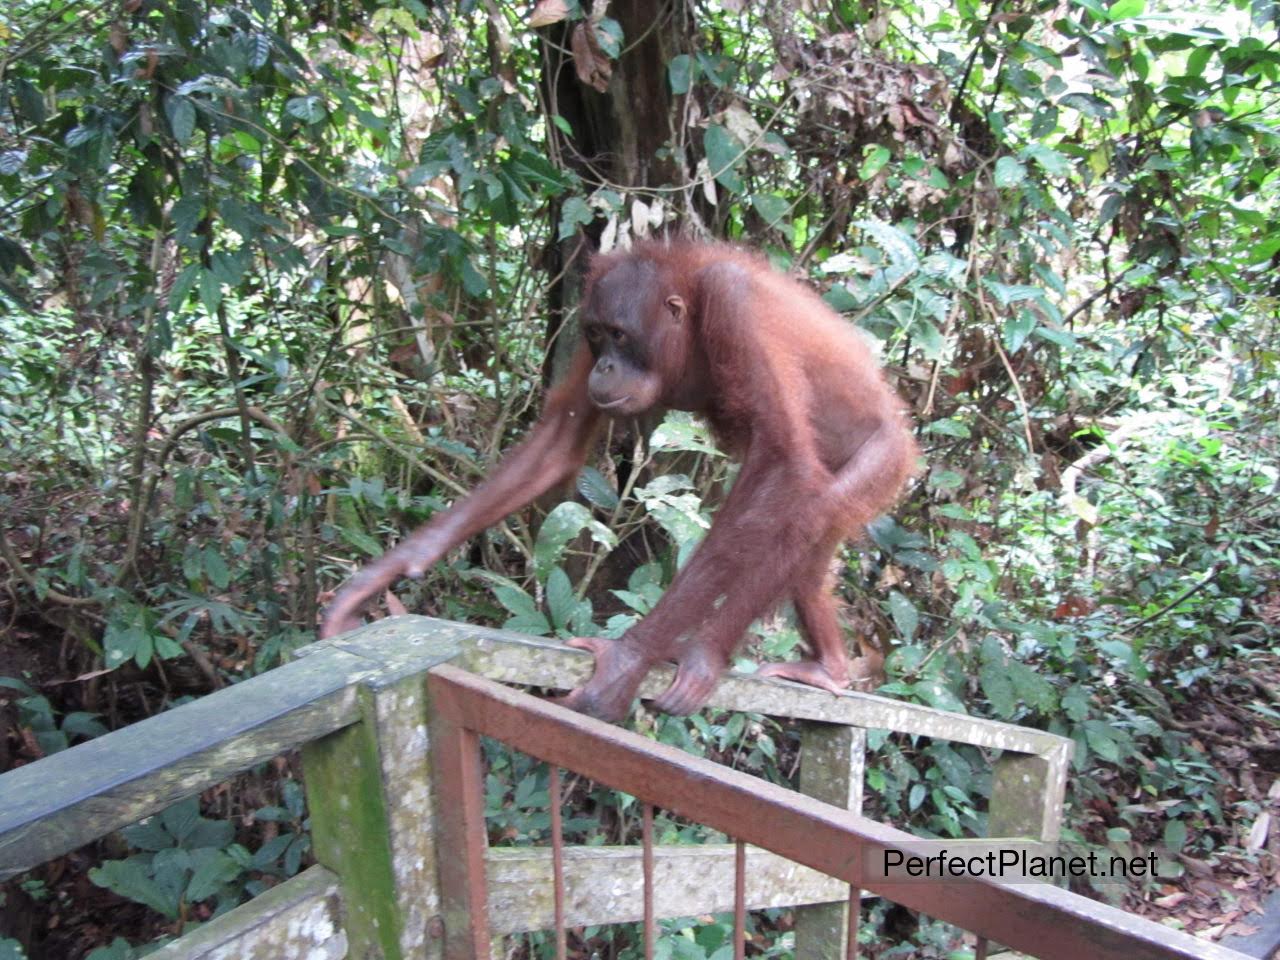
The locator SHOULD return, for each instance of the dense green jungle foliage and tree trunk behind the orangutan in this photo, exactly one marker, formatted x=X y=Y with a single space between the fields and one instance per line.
x=281 y=278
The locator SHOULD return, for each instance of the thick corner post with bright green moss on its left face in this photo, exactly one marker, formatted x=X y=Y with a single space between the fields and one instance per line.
x=369 y=793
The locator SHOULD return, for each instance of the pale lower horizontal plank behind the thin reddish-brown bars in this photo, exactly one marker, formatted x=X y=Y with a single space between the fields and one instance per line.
x=604 y=884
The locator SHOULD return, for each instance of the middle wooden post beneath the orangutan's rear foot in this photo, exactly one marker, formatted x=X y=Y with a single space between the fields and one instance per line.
x=831 y=770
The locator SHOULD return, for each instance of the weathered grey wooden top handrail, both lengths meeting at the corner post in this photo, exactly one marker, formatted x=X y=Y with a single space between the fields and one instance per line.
x=79 y=796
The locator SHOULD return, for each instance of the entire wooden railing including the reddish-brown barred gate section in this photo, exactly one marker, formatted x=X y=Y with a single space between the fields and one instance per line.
x=401 y=876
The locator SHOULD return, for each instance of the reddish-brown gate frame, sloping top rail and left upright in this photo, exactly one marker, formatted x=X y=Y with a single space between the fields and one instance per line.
x=1036 y=918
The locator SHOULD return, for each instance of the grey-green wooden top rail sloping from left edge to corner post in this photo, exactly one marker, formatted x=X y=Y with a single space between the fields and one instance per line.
x=75 y=797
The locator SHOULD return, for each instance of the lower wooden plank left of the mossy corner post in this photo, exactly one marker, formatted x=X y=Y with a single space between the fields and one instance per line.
x=300 y=920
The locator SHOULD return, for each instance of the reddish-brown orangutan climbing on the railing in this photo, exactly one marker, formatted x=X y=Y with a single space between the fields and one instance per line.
x=789 y=388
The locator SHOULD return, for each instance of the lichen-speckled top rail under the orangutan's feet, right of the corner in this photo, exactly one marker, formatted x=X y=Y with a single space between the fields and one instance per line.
x=515 y=659
